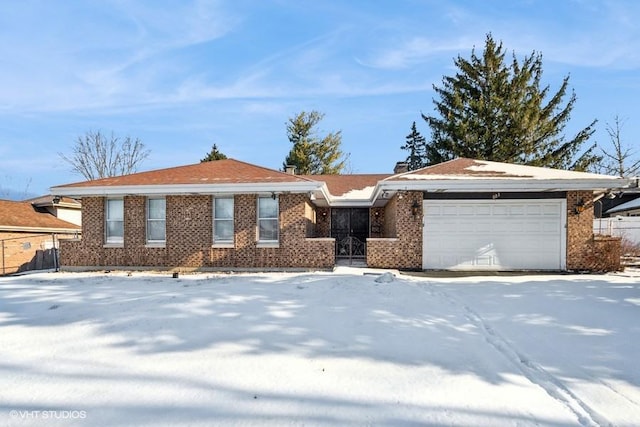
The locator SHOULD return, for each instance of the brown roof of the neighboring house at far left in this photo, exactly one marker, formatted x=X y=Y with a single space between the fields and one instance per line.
x=23 y=216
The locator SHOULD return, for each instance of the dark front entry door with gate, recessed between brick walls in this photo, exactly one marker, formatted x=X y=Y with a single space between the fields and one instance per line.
x=350 y=228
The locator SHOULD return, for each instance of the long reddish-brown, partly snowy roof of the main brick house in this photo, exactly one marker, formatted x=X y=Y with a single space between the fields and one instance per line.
x=231 y=176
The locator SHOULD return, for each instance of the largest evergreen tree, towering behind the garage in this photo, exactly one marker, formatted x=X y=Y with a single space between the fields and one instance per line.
x=495 y=110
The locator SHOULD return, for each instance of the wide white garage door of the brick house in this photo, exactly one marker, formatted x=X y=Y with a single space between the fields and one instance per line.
x=494 y=234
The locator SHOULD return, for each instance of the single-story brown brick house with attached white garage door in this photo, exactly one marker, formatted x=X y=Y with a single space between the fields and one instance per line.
x=463 y=214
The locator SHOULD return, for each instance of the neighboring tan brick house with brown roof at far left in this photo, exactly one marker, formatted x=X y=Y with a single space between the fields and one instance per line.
x=28 y=236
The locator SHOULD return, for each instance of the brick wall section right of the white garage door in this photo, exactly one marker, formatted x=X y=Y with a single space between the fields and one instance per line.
x=584 y=250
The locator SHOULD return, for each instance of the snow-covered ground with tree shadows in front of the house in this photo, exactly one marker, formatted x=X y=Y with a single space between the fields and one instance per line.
x=336 y=348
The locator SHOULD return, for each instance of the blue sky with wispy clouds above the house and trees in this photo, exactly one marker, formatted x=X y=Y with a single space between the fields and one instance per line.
x=182 y=75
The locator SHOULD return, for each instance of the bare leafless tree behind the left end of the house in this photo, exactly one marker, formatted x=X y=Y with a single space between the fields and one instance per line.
x=96 y=156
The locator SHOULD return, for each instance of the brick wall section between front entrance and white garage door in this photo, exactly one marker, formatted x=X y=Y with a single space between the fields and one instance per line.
x=401 y=246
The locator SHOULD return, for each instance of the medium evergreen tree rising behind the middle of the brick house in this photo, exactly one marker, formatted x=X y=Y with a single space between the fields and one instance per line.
x=310 y=154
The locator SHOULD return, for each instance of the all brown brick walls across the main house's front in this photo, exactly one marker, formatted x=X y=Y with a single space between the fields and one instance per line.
x=396 y=243
